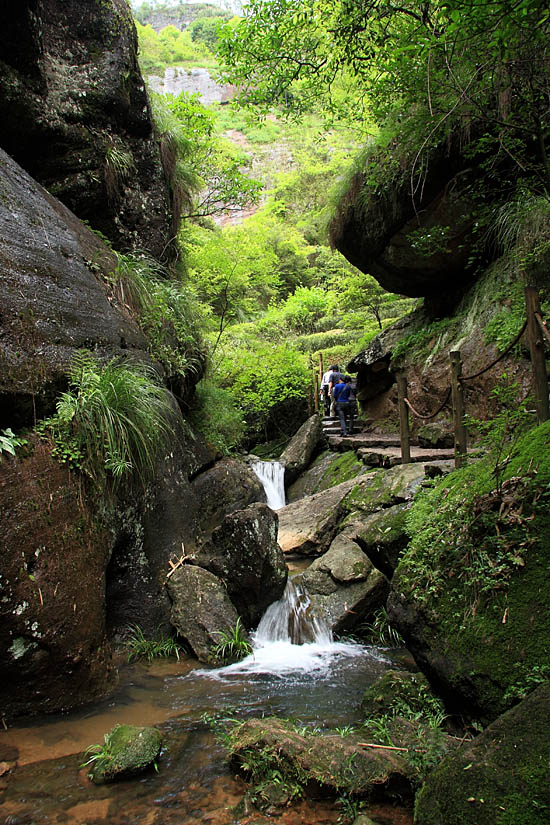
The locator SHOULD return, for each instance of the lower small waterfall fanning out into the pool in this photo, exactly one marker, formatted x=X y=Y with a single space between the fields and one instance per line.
x=292 y=620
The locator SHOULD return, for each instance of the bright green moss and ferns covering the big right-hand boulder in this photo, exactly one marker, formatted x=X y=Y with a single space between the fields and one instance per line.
x=470 y=537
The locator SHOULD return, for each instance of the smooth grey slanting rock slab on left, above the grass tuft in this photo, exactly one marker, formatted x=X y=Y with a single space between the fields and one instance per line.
x=53 y=303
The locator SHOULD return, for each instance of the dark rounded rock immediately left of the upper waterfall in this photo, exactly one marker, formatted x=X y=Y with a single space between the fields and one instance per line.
x=228 y=486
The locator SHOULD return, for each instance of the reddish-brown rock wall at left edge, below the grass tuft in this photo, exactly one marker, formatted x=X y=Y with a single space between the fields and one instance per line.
x=55 y=653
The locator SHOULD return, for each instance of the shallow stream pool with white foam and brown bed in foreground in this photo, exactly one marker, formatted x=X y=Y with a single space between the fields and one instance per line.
x=319 y=687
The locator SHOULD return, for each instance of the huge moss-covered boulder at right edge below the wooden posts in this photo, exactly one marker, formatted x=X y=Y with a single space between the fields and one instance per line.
x=472 y=602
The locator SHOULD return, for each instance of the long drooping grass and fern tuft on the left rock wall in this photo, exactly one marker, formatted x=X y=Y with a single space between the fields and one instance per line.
x=111 y=422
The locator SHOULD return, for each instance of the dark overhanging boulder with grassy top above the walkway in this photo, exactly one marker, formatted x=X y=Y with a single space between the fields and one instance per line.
x=411 y=245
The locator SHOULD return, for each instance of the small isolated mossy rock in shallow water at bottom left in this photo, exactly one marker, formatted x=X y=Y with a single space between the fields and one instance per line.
x=129 y=750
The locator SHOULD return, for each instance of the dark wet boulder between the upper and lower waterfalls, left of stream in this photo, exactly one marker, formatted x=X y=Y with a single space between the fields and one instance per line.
x=244 y=553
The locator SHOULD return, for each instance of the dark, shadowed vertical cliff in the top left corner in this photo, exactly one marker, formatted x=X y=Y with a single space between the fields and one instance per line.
x=76 y=116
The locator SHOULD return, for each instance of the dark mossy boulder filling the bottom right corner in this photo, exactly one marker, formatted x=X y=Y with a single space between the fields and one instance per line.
x=499 y=777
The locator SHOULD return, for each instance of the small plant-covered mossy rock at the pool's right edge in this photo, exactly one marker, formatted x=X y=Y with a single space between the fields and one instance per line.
x=411 y=689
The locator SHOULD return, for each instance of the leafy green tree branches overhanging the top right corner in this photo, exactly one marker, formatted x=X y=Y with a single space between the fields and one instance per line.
x=421 y=68
